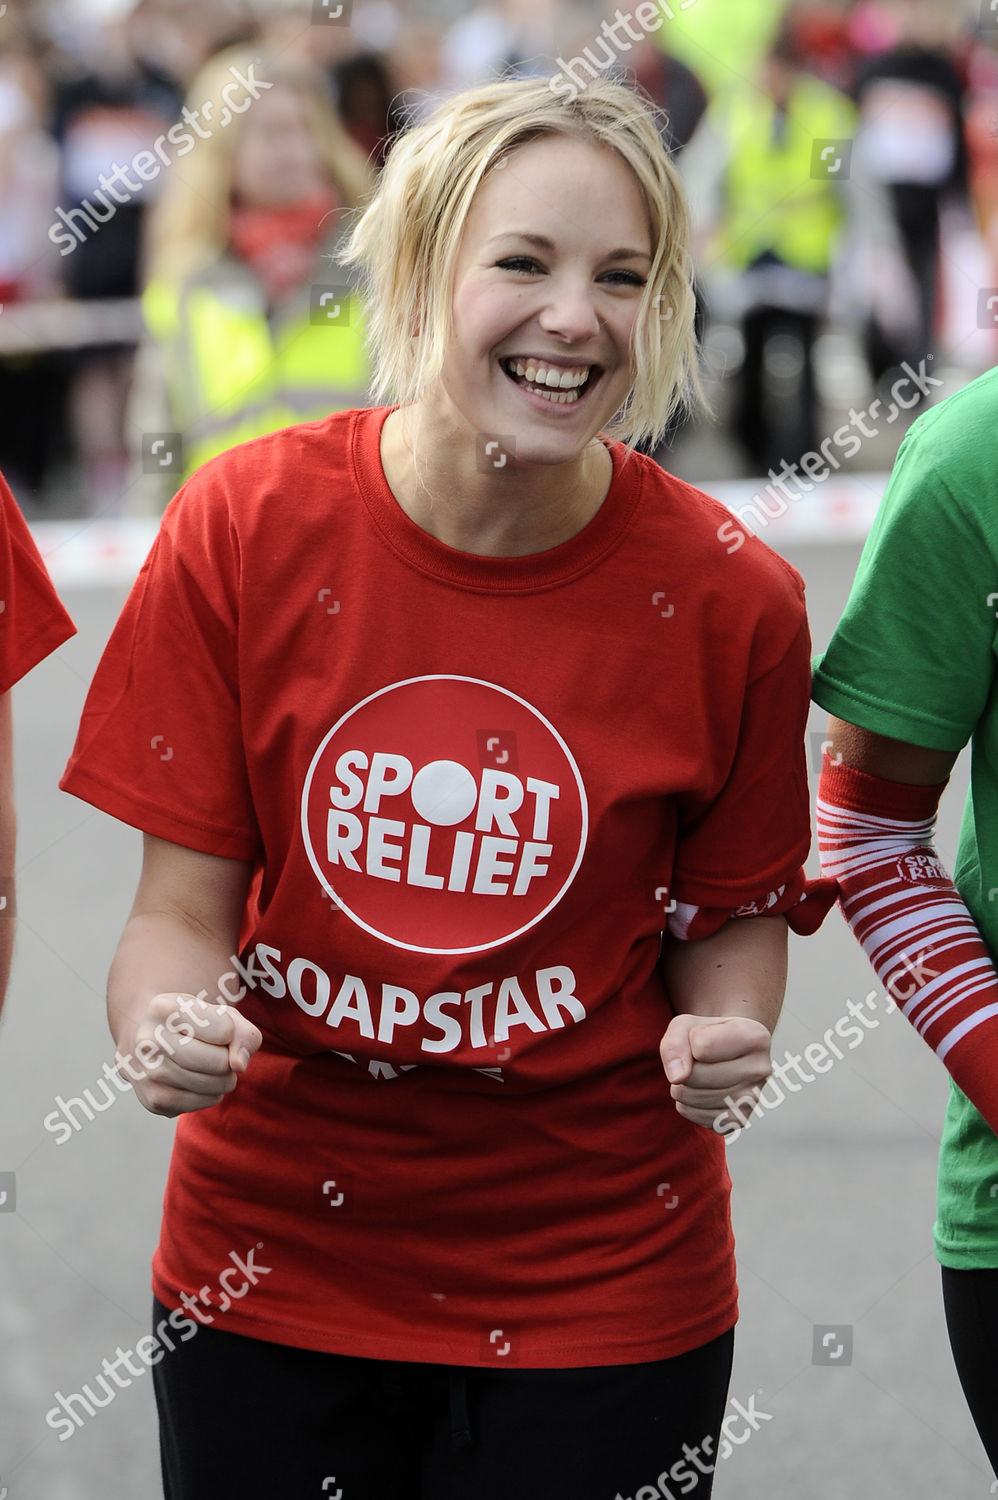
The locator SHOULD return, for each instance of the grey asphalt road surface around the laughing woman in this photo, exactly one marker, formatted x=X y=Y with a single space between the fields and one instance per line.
x=834 y=1189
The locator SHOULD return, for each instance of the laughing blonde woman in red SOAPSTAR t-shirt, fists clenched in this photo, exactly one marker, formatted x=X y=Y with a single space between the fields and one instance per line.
x=472 y=700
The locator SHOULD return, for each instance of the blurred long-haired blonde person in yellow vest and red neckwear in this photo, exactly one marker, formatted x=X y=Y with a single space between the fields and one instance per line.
x=250 y=325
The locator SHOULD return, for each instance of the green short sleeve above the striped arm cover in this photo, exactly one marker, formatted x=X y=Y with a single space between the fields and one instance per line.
x=913 y=655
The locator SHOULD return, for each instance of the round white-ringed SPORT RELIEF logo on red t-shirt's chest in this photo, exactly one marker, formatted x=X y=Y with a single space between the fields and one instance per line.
x=445 y=815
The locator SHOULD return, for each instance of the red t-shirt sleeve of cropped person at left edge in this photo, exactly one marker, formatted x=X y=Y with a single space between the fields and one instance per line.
x=32 y=617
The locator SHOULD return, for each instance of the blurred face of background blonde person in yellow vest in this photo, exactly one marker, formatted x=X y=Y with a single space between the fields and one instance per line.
x=277 y=161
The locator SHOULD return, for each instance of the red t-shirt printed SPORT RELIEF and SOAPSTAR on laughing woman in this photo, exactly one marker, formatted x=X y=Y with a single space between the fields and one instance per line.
x=472 y=787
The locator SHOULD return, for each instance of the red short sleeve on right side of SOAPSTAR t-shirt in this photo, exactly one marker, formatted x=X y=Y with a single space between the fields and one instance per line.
x=756 y=835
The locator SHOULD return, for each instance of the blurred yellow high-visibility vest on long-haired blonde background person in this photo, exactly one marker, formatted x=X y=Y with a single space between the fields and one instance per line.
x=235 y=374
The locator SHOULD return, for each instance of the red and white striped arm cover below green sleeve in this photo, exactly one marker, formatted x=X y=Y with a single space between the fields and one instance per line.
x=876 y=839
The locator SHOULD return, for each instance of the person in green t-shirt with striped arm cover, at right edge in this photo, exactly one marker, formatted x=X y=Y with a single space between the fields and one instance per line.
x=910 y=679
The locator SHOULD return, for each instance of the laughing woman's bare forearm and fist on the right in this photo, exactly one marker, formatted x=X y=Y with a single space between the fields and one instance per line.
x=727 y=992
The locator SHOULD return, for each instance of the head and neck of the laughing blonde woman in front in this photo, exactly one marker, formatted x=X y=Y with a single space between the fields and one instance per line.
x=543 y=253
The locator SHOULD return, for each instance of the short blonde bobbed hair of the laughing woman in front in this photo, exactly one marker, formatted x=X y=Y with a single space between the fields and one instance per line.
x=409 y=238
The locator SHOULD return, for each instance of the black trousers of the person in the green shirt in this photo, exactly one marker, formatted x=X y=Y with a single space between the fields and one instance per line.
x=972 y=1318
